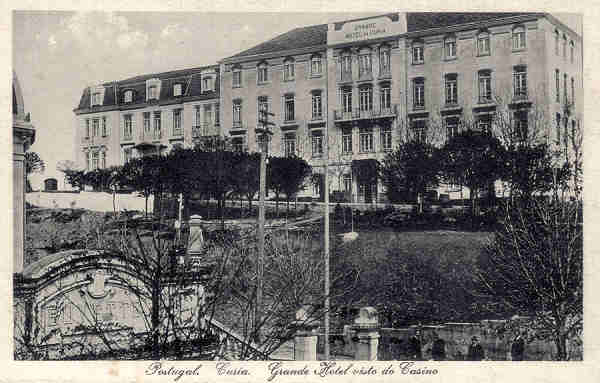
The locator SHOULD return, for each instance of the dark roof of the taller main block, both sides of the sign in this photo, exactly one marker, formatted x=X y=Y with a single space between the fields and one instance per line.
x=316 y=35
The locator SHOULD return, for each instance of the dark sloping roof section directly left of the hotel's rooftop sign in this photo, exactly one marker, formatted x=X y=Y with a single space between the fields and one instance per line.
x=304 y=37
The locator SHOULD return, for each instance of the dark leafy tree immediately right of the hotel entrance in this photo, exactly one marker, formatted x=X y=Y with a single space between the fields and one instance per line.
x=413 y=167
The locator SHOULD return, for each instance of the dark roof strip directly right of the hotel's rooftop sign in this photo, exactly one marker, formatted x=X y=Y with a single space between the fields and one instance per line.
x=419 y=21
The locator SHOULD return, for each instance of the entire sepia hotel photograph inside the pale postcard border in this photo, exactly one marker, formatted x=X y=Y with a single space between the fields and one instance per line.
x=383 y=186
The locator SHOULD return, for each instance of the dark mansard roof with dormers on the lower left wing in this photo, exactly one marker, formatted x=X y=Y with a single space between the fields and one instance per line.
x=138 y=85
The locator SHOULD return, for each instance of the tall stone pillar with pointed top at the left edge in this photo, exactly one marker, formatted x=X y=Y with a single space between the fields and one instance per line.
x=23 y=137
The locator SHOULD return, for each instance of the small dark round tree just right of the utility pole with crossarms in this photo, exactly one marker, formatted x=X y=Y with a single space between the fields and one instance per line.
x=286 y=175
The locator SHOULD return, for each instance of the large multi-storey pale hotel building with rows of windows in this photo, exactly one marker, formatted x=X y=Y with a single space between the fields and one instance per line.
x=356 y=85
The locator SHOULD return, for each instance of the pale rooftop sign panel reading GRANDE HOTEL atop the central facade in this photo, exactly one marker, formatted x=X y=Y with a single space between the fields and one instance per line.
x=366 y=29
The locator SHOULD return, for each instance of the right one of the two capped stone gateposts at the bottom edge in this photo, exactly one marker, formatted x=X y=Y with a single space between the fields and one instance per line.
x=366 y=326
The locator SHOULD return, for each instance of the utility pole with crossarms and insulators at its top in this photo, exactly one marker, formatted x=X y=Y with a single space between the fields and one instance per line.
x=264 y=131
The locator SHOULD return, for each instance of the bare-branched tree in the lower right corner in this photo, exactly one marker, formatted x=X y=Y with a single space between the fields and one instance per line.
x=534 y=266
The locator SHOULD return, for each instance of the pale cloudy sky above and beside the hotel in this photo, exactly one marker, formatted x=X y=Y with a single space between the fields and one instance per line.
x=57 y=54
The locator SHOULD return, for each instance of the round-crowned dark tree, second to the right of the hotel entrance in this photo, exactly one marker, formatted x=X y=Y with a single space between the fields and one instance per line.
x=473 y=159
